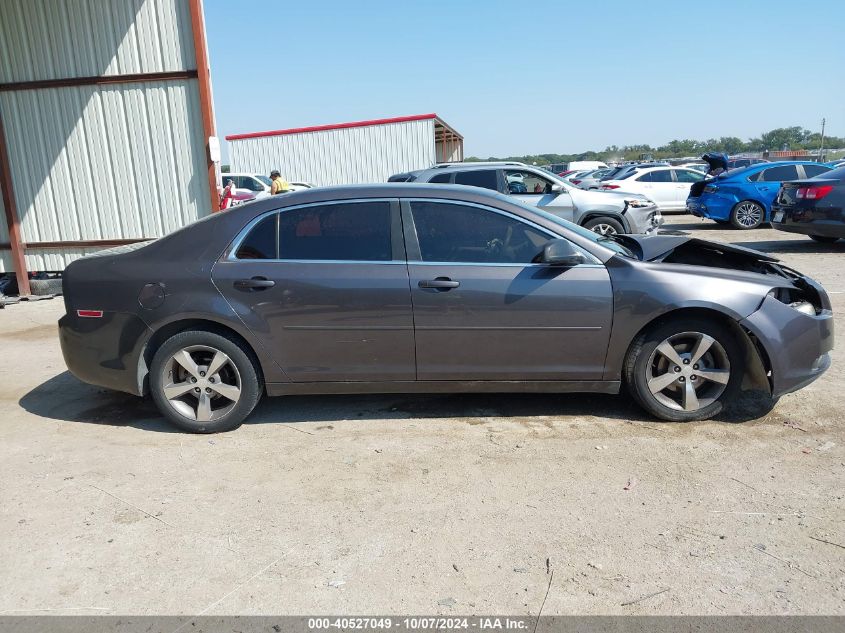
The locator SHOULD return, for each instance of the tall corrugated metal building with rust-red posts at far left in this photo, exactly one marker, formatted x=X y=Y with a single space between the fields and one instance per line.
x=105 y=121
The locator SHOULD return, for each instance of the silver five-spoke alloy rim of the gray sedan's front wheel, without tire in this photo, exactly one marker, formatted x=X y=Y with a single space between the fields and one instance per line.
x=688 y=371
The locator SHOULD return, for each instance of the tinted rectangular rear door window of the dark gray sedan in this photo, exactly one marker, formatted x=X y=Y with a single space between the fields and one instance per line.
x=357 y=231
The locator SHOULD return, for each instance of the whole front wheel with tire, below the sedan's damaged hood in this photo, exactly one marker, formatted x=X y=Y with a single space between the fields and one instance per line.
x=685 y=369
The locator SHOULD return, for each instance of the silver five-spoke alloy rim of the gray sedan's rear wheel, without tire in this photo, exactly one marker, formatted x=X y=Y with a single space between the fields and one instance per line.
x=201 y=383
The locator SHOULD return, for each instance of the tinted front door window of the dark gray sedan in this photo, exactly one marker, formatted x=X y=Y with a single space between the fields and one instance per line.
x=451 y=232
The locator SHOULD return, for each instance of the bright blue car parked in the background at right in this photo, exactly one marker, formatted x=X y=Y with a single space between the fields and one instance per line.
x=744 y=196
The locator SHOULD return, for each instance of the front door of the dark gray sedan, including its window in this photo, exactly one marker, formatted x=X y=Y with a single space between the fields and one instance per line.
x=483 y=311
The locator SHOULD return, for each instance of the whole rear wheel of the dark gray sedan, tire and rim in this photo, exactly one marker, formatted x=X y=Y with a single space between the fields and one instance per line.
x=204 y=382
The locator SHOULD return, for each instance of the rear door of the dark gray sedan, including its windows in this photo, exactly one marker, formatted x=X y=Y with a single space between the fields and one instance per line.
x=325 y=287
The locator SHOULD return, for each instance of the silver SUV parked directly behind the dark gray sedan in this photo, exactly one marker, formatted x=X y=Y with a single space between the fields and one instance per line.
x=605 y=213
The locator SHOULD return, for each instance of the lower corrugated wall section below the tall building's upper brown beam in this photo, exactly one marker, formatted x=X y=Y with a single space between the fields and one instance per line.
x=100 y=162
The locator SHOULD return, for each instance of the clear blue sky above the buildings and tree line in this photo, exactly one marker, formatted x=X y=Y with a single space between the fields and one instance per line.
x=521 y=78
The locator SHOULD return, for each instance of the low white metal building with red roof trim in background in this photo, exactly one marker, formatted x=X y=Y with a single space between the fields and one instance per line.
x=348 y=153
